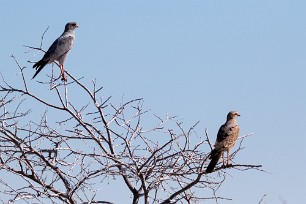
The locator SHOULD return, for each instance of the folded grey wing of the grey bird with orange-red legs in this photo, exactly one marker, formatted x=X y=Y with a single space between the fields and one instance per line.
x=59 y=47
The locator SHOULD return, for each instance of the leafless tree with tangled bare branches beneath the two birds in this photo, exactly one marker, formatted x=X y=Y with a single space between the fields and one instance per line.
x=66 y=153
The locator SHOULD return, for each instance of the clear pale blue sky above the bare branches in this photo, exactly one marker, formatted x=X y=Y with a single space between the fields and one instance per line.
x=195 y=59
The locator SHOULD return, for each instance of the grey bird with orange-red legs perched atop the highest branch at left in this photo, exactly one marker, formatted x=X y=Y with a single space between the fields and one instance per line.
x=59 y=50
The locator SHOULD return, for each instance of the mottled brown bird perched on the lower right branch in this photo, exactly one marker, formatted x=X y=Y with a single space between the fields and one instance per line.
x=226 y=138
